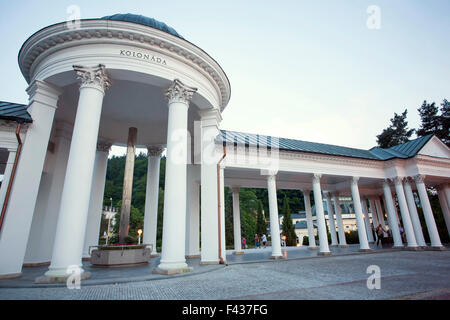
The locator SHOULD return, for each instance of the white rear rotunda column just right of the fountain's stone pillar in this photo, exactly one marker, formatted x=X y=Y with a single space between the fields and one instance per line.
x=152 y=197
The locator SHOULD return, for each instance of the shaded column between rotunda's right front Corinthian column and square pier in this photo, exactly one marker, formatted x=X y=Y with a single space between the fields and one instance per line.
x=193 y=214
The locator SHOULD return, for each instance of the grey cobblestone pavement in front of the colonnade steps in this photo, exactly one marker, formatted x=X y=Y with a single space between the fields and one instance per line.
x=404 y=275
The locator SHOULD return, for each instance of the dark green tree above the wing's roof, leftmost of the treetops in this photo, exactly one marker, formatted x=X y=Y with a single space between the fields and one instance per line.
x=397 y=132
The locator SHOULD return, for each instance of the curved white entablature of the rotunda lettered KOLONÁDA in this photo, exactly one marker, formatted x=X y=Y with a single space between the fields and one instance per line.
x=140 y=42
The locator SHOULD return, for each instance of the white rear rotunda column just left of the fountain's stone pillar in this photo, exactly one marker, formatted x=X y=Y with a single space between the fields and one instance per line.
x=96 y=201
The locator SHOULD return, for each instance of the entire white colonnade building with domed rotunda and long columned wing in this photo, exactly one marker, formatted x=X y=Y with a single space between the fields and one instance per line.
x=89 y=84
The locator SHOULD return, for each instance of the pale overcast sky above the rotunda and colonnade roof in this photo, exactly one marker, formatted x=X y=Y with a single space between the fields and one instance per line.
x=308 y=70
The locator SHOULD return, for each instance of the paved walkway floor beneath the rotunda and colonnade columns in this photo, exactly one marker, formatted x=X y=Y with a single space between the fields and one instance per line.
x=118 y=275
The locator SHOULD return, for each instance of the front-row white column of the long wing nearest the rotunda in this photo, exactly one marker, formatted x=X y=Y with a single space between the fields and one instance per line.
x=274 y=223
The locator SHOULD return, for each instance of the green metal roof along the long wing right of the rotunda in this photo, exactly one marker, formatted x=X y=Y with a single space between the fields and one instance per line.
x=403 y=151
